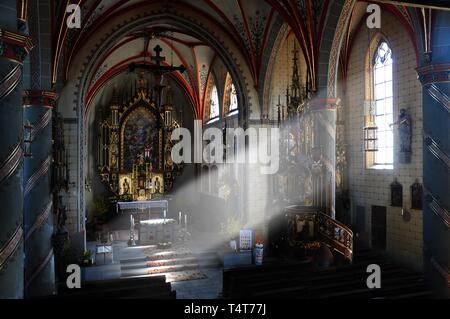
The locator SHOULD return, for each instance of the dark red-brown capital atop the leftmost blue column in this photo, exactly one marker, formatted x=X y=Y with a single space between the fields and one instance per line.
x=14 y=46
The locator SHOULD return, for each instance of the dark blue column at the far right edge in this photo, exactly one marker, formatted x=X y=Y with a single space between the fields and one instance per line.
x=435 y=78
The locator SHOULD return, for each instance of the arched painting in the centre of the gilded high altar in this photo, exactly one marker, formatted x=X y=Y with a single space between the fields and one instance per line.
x=139 y=135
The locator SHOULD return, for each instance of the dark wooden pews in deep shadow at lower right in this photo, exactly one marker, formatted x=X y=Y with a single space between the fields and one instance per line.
x=280 y=280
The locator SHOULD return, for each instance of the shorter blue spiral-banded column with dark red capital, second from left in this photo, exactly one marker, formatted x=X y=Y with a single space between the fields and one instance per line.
x=38 y=200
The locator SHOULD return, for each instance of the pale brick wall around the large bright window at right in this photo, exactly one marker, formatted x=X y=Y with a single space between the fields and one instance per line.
x=371 y=187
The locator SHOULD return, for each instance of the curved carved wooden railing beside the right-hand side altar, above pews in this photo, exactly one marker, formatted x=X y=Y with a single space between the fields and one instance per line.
x=324 y=229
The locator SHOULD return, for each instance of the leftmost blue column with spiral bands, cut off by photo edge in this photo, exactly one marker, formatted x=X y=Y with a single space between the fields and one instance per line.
x=13 y=49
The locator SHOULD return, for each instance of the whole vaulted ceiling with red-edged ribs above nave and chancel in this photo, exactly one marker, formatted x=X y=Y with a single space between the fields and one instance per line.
x=248 y=26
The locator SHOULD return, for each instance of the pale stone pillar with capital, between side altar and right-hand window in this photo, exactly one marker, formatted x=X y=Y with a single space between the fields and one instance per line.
x=324 y=152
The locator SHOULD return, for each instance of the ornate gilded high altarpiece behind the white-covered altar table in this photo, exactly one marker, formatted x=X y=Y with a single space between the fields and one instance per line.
x=134 y=150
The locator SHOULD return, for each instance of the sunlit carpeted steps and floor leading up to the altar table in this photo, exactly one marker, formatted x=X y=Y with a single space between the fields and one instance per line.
x=197 y=275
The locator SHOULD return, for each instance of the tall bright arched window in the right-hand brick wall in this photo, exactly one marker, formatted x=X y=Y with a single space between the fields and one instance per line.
x=383 y=103
